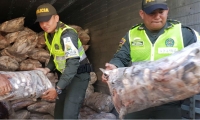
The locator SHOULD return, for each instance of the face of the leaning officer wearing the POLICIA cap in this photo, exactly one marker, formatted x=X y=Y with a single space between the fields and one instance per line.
x=50 y=26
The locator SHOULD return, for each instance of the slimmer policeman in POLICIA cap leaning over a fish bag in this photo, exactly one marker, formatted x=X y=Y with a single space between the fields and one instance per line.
x=69 y=59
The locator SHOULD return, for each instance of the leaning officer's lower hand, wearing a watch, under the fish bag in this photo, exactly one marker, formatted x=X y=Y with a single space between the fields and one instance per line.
x=50 y=94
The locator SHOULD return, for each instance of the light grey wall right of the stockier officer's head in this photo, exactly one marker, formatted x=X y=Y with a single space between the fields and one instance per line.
x=186 y=11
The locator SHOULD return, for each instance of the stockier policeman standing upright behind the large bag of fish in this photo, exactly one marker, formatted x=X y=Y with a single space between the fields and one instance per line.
x=155 y=38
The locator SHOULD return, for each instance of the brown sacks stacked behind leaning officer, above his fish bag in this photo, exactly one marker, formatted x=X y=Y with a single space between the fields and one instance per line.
x=23 y=49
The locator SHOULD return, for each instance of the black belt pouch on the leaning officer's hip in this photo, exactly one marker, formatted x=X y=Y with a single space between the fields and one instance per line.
x=85 y=68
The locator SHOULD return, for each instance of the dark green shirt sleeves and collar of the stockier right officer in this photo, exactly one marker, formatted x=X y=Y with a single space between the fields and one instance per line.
x=122 y=56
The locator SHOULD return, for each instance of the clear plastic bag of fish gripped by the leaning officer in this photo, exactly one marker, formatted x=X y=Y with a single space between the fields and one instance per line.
x=26 y=84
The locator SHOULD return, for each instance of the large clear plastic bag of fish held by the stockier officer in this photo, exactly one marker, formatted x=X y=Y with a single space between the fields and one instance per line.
x=149 y=84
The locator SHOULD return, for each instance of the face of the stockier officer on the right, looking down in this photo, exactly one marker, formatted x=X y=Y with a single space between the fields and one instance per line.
x=155 y=20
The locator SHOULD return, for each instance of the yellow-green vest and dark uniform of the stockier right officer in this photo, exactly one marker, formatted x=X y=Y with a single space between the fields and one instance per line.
x=137 y=45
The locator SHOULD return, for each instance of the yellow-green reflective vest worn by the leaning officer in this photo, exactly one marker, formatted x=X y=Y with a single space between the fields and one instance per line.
x=56 y=50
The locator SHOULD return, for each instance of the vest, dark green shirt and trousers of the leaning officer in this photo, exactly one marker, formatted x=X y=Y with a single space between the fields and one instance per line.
x=73 y=85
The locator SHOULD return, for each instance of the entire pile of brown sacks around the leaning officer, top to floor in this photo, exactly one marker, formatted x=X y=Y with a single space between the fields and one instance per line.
x=22 y=49
